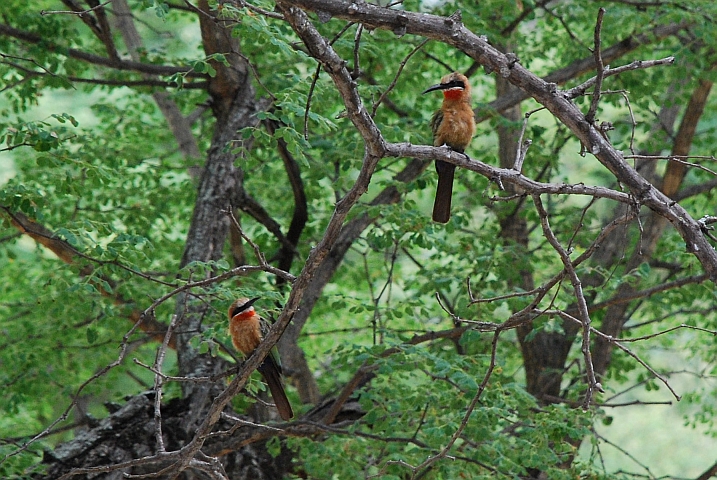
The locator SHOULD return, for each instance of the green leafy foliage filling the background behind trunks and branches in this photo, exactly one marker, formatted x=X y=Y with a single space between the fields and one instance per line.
x=98 y=166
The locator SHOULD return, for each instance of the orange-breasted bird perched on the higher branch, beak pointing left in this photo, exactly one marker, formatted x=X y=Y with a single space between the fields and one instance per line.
x=454 y=125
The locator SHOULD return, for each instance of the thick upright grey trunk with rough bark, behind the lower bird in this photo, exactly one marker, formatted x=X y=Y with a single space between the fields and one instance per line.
x=234 y=108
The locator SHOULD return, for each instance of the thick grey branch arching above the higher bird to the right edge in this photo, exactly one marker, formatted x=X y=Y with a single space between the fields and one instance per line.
x=455 y=34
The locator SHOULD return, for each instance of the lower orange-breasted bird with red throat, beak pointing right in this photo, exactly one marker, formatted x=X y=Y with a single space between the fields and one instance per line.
x=247 y=330
